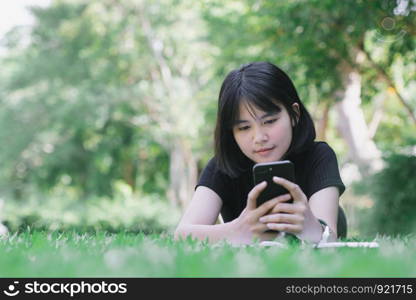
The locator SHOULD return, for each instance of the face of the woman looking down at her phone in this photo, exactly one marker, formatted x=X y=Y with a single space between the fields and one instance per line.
x=262 y=136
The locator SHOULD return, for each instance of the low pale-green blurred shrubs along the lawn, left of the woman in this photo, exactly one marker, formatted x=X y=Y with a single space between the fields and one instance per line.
x=62 y=210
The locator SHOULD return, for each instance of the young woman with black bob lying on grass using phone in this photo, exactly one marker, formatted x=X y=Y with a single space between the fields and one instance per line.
x=261 y=119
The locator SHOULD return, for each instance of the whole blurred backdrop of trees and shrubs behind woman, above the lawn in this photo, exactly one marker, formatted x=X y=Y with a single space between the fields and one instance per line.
x=107 y=108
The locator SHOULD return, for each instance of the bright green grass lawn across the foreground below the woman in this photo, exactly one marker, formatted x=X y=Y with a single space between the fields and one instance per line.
x=72 y=254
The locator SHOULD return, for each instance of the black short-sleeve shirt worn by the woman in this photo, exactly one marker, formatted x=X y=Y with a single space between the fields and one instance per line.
x=315 y=169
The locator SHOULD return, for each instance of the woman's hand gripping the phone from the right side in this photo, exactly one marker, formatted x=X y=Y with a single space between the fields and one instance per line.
x=297 y=217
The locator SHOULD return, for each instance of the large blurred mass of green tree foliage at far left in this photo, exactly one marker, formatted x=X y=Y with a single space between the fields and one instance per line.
x=67 y=120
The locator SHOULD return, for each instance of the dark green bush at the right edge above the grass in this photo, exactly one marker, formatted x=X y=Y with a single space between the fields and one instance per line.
x=393 y=189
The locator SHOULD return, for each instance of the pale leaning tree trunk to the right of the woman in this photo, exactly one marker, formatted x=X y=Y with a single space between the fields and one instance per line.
x=352 y=125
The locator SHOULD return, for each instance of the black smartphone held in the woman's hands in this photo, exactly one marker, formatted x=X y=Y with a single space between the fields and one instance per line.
x=266 y=171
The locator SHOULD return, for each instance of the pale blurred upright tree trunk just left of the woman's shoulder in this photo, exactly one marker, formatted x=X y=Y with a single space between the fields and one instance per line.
x=183 y=174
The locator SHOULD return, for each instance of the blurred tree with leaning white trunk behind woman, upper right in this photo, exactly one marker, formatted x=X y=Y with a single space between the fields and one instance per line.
x=327 y=47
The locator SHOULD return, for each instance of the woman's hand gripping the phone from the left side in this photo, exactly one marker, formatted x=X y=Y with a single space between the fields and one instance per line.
x=247 y=226
